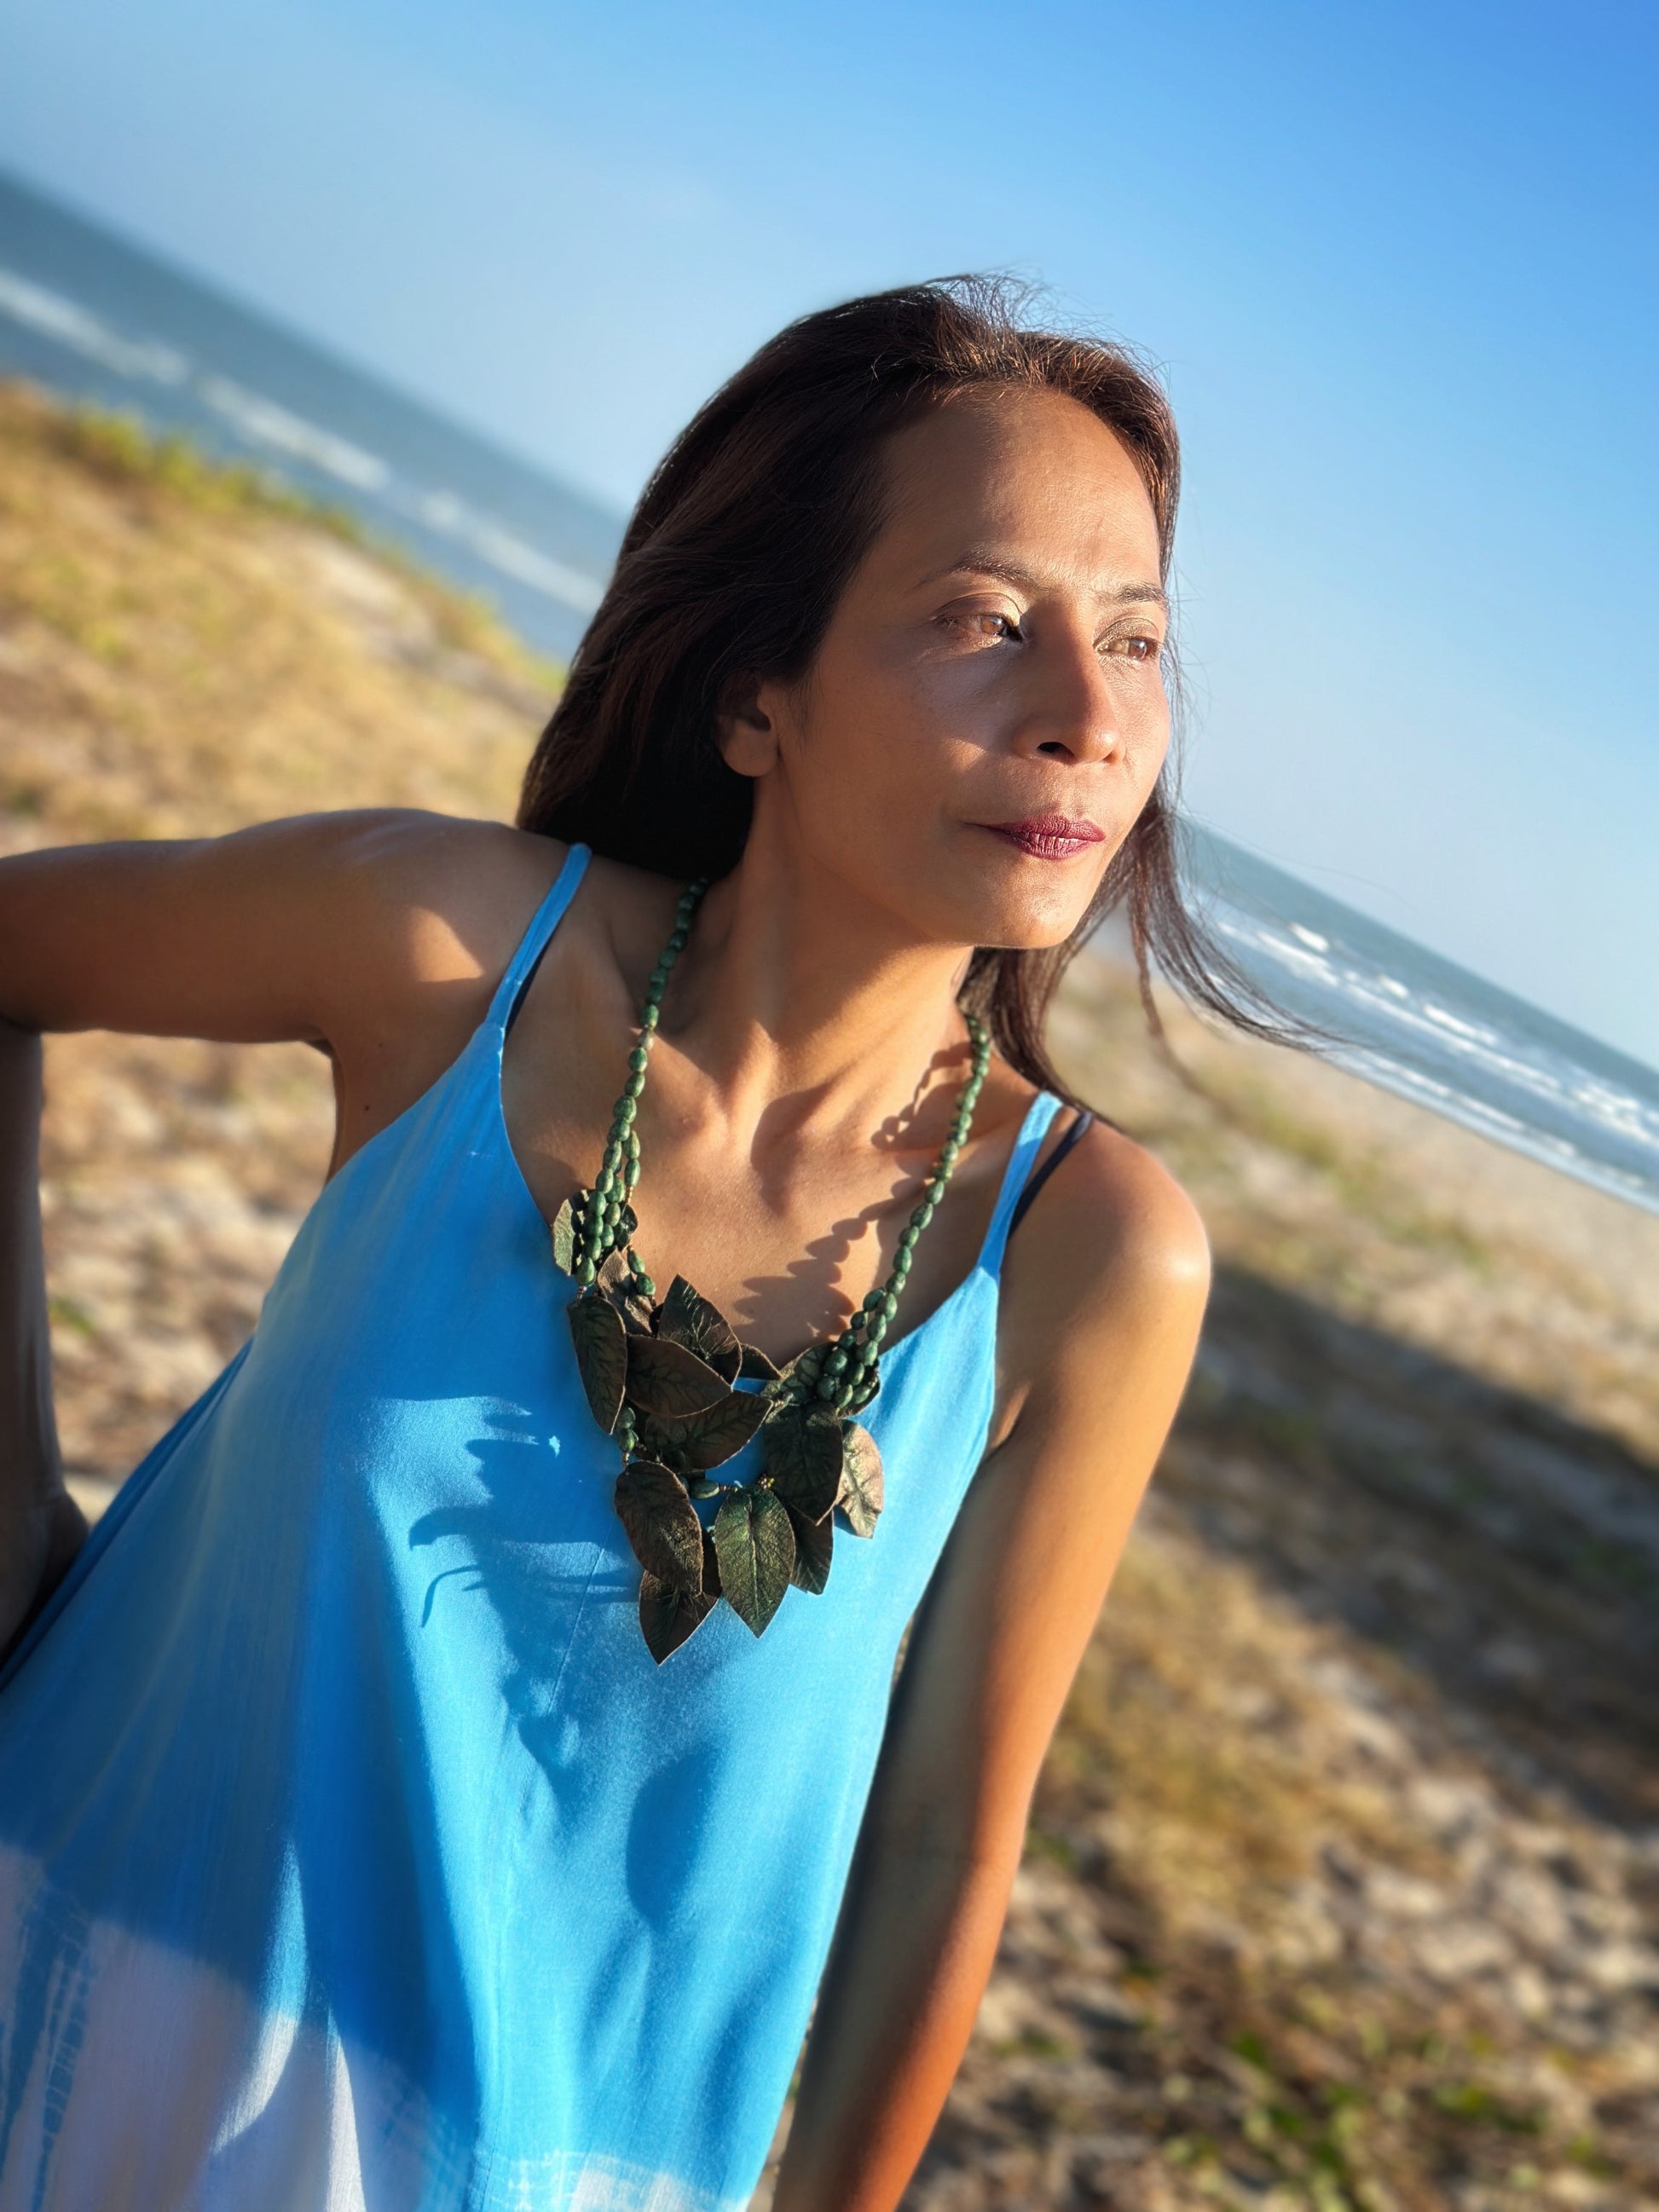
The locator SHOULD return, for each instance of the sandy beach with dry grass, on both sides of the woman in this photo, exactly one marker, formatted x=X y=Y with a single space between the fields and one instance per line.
x=1344 y=1875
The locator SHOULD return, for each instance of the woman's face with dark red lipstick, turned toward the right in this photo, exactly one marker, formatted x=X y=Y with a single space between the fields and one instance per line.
x=988 y=713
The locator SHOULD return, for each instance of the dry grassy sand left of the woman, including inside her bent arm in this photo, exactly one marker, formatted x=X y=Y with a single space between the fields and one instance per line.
x=182 y=651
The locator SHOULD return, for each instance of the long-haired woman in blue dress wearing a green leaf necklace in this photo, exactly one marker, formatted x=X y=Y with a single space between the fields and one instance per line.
x=441 y=1775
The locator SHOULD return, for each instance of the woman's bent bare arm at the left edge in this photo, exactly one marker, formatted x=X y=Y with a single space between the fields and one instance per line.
x=371 y=935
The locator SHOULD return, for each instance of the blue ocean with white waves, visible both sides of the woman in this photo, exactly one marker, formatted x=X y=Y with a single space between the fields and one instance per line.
x=96 y=320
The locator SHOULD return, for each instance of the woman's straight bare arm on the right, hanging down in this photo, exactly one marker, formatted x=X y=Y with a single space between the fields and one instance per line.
x=1100 y=1317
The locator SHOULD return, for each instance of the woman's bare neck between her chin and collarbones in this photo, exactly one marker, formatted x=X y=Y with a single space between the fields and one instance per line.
x=804 y=1003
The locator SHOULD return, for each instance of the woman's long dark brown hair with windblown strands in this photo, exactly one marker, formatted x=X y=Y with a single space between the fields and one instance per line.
x=733 y=565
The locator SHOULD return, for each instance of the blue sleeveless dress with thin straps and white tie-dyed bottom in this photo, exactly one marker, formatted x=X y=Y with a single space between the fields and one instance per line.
x=355 y=1855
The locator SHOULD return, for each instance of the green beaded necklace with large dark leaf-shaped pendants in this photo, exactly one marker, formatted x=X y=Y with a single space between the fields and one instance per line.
x=660 y=1377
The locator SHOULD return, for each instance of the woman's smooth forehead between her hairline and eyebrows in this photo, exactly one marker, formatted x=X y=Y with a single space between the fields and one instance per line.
x=1034 y=474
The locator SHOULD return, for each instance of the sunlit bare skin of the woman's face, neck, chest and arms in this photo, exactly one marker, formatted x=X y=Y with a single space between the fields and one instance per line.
x=988 y=698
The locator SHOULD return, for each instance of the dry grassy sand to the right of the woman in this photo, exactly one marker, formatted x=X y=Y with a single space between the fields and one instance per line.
x=1344 y=1870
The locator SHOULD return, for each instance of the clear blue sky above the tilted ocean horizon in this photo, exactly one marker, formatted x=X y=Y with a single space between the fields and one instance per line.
x=1397 y=267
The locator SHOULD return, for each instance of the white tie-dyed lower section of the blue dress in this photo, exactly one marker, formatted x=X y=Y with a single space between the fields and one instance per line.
x=149 y=2083
